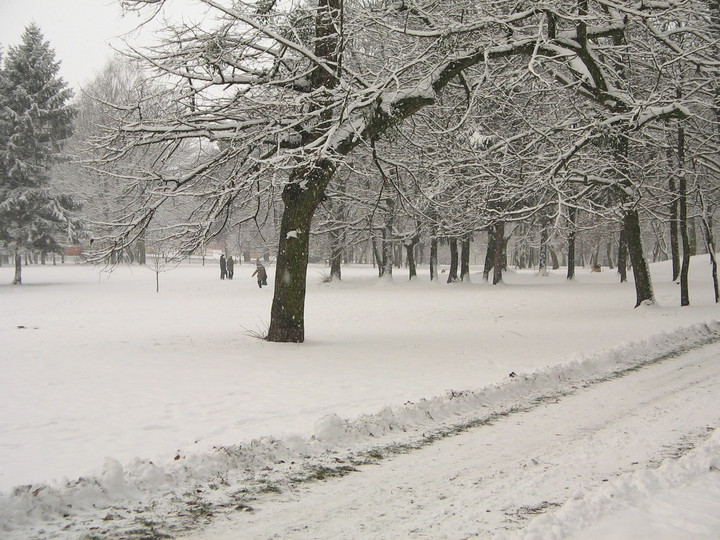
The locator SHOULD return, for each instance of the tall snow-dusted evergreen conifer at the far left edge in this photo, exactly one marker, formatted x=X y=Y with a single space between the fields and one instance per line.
x=35 y=119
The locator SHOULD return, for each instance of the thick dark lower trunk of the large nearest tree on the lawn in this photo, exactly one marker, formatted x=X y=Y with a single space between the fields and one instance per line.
x=287 y=315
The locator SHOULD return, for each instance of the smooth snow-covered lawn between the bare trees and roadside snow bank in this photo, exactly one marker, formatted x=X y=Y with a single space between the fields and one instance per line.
x=98 y=365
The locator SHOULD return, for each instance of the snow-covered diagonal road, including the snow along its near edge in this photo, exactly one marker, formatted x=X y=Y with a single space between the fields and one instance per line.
x=596 y=462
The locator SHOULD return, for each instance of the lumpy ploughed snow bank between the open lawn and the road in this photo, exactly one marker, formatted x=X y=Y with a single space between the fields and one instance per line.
x=271 y=464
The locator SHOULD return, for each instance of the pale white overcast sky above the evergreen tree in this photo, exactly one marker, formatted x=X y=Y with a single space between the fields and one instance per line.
x=80 y=31
